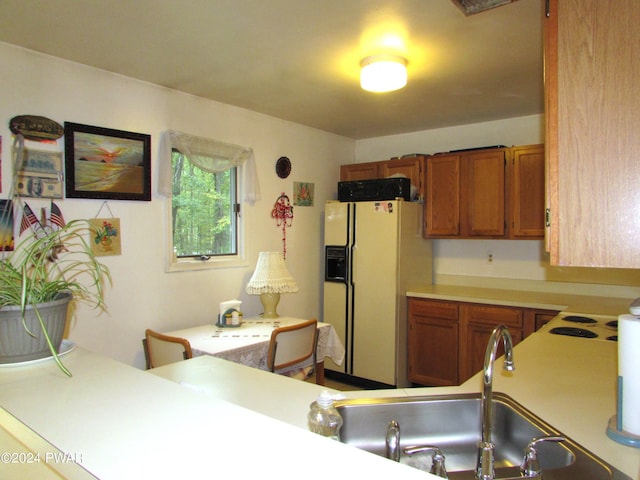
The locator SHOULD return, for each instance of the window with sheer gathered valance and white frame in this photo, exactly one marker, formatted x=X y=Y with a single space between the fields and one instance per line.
x=205 y=181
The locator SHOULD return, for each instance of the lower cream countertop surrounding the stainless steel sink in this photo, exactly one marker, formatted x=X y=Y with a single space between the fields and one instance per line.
x=568 y=382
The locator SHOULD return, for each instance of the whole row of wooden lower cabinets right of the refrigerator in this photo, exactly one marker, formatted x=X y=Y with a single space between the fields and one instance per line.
x=448 y=339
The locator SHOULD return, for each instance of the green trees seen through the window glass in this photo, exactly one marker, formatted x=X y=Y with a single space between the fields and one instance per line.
x=203 y=210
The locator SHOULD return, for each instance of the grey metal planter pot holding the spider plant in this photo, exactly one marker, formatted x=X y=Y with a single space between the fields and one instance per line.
x=16 y=345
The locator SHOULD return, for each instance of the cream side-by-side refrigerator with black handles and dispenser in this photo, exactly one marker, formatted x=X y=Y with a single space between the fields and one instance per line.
x=374 y=253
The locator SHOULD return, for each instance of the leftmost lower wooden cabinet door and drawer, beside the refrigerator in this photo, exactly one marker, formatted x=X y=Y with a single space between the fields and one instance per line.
x=433 y=342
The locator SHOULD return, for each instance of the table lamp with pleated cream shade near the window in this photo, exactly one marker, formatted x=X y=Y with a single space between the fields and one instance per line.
x=270 y=279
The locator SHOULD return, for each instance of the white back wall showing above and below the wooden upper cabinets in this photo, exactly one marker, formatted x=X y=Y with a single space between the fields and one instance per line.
x=512 y=259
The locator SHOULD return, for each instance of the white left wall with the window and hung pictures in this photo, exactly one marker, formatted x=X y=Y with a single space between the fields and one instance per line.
x=143 y=294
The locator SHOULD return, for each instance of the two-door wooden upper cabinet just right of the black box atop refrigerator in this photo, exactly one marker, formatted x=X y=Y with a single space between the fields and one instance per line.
x=465 y=195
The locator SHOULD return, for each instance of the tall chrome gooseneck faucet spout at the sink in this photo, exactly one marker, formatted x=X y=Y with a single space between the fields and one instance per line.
x=485 y=465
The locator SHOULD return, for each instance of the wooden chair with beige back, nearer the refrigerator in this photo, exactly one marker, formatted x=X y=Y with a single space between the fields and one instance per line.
x=291 y=345
